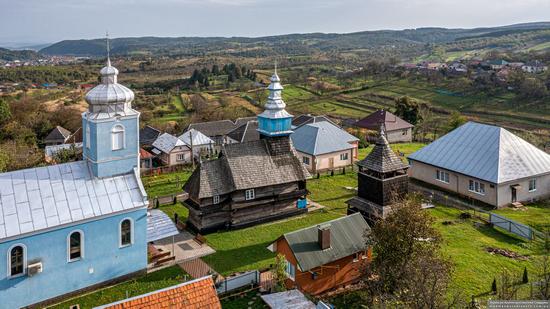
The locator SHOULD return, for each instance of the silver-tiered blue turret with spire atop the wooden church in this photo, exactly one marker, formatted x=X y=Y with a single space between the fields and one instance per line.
x=275 y=120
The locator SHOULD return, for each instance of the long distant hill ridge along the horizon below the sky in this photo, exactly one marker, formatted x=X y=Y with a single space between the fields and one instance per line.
x=303 y=43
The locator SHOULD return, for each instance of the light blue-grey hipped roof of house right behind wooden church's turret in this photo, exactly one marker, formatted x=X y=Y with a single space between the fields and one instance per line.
x=320 y=138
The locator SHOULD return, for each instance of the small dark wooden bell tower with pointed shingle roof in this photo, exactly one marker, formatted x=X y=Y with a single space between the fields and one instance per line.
x=382 y=179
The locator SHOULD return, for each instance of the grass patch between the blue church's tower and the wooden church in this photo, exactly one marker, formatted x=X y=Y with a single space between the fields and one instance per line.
x=165 y=184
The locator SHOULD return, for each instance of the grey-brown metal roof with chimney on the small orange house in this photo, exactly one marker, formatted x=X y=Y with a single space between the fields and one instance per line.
x=347 y=236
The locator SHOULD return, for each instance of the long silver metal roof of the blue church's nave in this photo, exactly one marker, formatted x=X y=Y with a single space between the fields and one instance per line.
x=41 y=198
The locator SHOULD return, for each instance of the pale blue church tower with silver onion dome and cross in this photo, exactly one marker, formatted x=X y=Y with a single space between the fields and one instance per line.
x=111 y=126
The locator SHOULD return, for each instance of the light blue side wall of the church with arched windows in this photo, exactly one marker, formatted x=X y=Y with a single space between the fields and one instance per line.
x=101 y=252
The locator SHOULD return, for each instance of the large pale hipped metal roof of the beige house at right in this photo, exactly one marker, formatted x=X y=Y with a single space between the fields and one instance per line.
x=485 y=152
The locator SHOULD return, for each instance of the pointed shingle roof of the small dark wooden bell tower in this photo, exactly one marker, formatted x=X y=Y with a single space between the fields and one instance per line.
x=382 y=159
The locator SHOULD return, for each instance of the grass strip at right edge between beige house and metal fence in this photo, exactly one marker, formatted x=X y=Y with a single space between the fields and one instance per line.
x=536 y=215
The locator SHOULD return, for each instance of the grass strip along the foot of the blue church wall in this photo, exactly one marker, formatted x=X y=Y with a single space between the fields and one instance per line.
x=151 y=282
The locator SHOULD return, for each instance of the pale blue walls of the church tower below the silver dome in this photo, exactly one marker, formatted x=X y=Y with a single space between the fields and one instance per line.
x=105 y=161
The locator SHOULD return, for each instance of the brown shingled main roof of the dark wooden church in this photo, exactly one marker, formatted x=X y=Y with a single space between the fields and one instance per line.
x=254 y=164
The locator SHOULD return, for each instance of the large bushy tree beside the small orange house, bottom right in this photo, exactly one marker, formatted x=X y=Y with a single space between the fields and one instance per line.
x=408 y=266
